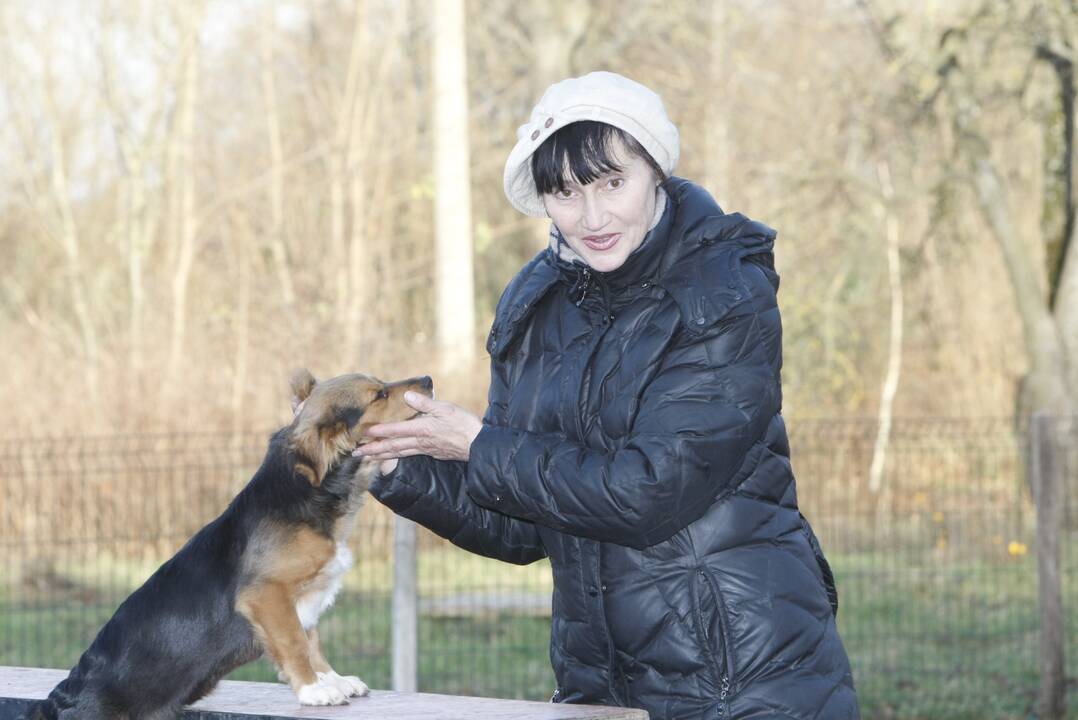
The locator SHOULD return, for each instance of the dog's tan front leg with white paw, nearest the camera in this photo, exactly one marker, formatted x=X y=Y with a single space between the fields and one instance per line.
x=271 y=610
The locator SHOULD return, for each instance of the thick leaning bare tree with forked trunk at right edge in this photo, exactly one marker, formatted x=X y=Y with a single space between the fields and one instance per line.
x=962 y=98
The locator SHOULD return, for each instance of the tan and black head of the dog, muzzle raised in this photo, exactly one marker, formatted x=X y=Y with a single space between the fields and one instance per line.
x=337 y=413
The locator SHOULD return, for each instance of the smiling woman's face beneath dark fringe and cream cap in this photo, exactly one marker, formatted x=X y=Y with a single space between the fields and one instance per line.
x=607 y=219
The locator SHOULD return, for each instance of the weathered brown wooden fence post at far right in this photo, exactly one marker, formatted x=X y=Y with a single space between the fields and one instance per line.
x=1046 y=470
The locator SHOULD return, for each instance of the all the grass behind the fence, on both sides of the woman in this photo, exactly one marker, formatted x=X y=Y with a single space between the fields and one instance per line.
x=934 y=638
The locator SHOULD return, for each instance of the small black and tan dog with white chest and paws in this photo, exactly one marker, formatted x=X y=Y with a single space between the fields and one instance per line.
x=255 y=580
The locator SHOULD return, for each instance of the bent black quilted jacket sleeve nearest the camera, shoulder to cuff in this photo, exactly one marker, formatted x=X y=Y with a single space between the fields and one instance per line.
x=699 y=418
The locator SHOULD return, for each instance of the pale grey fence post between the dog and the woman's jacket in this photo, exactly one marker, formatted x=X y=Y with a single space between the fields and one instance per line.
x=405 y=611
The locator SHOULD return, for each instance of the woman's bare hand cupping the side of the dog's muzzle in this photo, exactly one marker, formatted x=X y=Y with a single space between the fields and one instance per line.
x=445 y=432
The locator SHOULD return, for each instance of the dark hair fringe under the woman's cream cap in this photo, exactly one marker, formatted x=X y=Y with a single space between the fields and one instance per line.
x=587 y=149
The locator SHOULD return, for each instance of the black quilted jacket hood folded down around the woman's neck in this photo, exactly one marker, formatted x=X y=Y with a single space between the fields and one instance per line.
x=702 y=241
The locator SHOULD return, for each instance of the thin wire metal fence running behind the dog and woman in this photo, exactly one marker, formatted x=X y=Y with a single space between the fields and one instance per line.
x=937 y=570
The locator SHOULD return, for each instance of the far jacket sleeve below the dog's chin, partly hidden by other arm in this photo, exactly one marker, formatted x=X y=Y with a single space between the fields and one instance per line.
x=433 y=493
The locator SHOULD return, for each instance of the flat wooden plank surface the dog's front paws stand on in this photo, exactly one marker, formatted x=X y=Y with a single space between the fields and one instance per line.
x=271 y=701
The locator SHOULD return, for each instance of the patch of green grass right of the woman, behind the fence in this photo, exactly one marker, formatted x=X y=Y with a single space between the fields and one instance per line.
x=957 y=643
